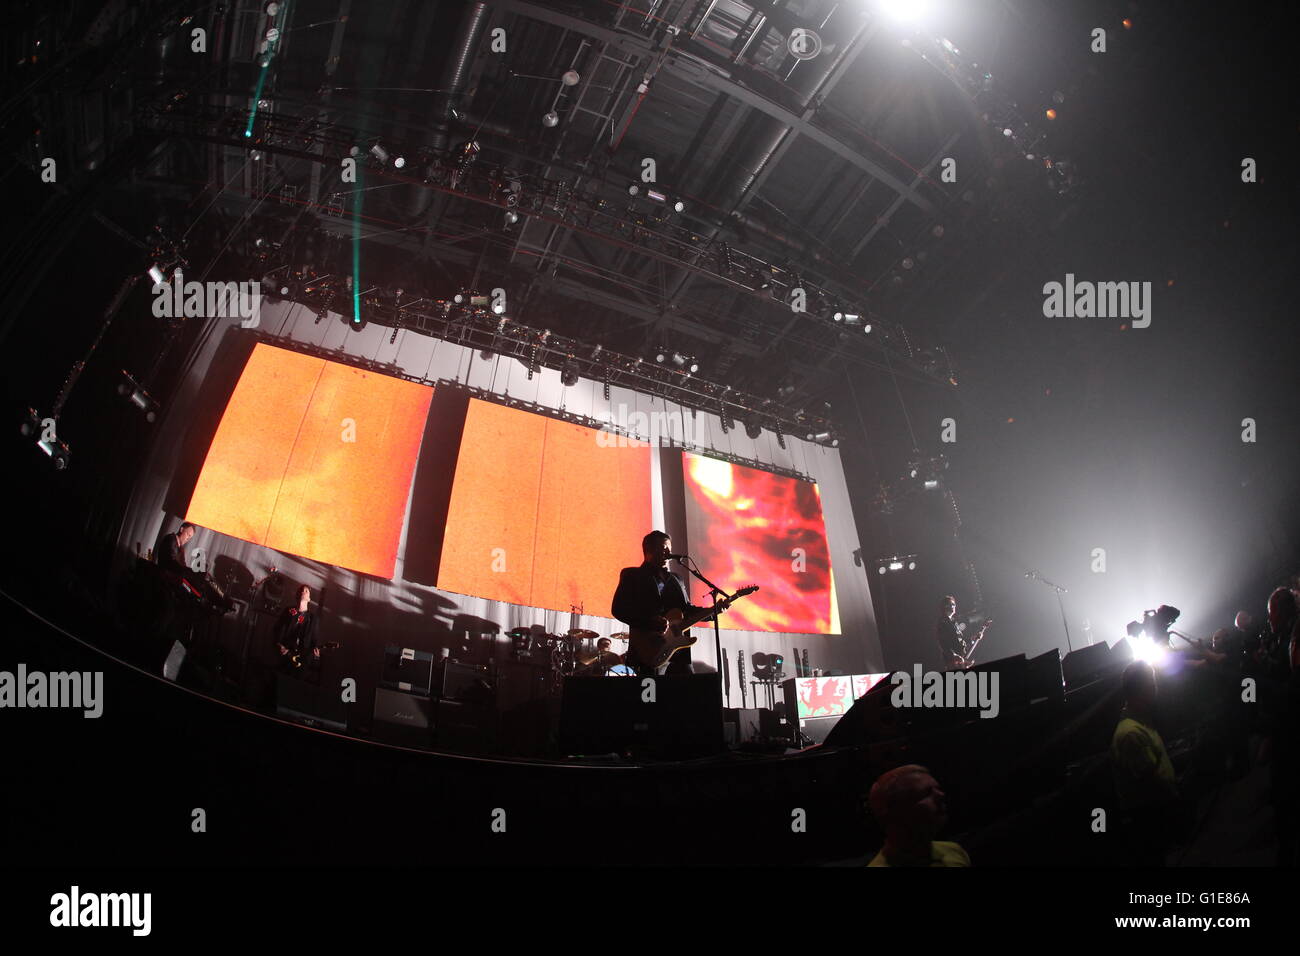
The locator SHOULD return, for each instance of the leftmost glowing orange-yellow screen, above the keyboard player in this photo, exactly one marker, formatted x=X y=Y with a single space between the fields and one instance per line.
x=314 y=458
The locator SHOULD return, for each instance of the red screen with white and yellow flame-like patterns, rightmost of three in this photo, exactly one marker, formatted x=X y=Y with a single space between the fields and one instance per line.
x=755 y=527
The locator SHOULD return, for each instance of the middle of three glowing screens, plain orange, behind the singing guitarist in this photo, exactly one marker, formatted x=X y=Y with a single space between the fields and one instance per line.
x=543 y=513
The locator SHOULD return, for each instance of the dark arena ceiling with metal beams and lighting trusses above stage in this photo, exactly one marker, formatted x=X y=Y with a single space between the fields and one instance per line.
x=795 y=174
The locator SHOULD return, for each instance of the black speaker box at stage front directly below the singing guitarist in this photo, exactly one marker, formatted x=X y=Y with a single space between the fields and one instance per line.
x=609 y=716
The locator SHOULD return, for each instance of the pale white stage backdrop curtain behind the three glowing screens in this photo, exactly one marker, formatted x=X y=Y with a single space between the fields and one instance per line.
x=370 y=612
